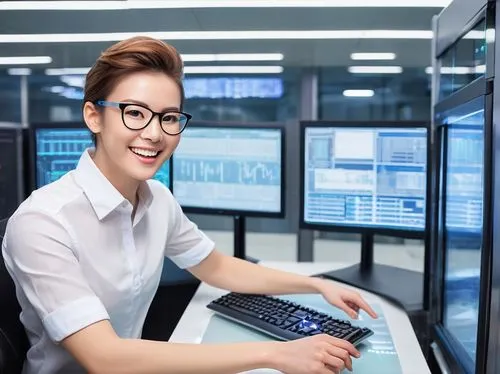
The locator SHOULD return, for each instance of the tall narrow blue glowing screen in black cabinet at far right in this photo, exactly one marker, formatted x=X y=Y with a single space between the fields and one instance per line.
x=462 y=220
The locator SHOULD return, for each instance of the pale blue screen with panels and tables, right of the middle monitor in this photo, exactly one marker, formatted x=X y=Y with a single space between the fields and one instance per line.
x=365 y=177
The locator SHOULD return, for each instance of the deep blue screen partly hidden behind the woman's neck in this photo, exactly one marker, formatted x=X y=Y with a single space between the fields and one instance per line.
x=58 y=151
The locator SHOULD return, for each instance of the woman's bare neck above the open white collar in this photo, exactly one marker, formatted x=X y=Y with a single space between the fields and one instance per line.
x=127 y=187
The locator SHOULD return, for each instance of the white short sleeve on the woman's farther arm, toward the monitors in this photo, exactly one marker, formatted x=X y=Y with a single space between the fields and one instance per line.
x=186 y=245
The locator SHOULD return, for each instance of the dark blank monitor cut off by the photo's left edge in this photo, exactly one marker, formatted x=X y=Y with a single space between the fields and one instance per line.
x=11 y=165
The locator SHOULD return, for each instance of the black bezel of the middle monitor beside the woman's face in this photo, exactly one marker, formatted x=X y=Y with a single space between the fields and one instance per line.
x=243 y=126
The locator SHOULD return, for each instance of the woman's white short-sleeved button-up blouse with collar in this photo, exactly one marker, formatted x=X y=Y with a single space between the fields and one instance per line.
x=77 y=258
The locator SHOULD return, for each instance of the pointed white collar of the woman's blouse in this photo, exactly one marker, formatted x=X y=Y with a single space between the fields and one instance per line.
x=103 y=196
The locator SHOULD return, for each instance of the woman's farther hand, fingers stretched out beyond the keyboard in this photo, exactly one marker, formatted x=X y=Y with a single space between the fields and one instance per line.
x=348 y=301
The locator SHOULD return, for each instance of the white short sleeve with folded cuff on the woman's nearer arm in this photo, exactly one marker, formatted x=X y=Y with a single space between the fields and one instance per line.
x=38 y=254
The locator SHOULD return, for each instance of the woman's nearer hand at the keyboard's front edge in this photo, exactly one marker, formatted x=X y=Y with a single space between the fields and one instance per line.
x=319 y=354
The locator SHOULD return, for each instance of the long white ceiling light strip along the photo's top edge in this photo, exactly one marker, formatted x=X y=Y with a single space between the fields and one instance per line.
x=171 y=4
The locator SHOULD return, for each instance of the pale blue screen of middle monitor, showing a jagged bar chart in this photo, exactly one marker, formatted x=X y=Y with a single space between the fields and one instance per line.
x=233 y=169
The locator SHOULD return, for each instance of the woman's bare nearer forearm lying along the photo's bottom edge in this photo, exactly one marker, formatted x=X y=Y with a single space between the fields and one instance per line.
x=149 y=357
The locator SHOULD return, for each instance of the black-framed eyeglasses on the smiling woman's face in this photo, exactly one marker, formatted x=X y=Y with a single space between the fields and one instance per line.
x=138 y=117
